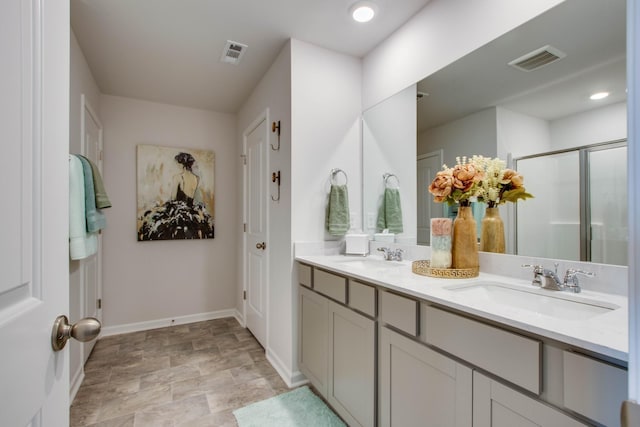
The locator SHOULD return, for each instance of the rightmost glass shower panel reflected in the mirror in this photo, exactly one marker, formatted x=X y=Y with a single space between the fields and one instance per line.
x=608 y=205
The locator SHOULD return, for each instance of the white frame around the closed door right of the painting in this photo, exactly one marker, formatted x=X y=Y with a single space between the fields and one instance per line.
x=263 y=116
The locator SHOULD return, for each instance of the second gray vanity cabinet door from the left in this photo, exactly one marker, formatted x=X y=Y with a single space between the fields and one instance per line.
x=351 y=366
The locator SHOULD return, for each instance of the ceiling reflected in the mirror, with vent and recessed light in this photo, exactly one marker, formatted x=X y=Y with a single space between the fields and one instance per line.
x=592 y=34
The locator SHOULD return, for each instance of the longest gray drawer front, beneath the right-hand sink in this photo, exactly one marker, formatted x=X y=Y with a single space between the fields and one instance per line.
x=513 y=357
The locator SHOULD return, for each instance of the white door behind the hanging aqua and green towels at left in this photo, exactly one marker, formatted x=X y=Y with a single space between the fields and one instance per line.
x=92 y=266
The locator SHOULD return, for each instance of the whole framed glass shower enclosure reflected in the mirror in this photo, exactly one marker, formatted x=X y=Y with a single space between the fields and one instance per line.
x=580 y=213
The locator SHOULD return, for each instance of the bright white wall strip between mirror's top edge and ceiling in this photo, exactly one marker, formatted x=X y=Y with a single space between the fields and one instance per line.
x=442 y=32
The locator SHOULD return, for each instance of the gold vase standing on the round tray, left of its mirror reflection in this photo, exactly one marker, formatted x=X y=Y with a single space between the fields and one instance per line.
x=464 y=250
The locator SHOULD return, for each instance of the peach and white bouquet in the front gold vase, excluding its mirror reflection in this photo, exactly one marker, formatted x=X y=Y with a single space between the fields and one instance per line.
x=457 y=184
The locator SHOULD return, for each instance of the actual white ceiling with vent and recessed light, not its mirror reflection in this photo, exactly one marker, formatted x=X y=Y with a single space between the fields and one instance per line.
x=169 y=51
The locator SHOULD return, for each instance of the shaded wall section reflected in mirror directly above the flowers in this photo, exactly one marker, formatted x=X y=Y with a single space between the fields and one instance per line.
x=473 y=134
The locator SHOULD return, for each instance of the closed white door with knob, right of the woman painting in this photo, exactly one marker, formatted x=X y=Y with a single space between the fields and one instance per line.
x=256 y=193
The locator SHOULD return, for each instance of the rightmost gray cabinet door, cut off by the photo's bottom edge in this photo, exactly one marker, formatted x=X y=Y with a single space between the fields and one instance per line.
x=496 y=405
